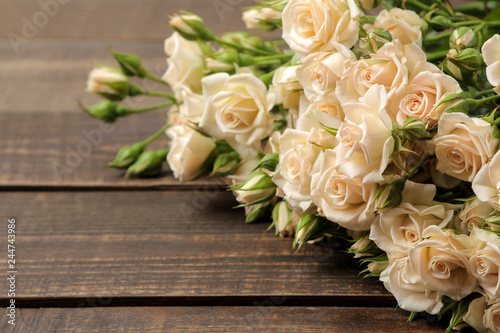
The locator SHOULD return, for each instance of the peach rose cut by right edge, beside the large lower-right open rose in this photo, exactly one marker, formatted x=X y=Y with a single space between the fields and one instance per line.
x=485 y=263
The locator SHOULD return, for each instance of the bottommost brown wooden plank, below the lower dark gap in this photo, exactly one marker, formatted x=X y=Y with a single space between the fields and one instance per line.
x=217 y=319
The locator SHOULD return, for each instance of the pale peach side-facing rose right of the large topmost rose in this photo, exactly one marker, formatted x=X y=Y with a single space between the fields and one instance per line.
x=404 y=25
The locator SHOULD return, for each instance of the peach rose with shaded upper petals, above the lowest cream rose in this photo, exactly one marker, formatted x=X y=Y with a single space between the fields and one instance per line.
x=397 y=230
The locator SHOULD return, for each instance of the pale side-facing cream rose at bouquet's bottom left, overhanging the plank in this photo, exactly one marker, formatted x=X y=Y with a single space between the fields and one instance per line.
x=409 y=288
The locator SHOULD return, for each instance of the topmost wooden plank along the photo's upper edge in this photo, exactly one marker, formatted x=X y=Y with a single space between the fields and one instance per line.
x=111 y=19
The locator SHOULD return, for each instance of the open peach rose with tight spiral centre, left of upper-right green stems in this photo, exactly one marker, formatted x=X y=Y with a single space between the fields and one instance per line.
x=425 y=89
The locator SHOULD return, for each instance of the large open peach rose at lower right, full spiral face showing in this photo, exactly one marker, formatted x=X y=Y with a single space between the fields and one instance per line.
x=442 y=261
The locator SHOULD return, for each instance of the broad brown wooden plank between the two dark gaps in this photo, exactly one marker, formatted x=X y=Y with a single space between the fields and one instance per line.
x=169 y=245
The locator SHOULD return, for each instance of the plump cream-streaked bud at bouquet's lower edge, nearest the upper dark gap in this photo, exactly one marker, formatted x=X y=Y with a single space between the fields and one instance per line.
x=258 y=188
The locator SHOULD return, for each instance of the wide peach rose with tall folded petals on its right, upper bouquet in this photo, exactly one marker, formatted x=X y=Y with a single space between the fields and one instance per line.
x=390 y=67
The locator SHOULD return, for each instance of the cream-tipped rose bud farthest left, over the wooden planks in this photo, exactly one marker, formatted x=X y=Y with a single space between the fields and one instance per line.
x=109 y=83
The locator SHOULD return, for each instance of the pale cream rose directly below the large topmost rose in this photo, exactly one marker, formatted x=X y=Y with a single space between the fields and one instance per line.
x=320 y=71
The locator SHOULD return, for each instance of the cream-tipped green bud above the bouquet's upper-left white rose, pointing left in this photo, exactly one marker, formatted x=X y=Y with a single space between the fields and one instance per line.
x=191 y=27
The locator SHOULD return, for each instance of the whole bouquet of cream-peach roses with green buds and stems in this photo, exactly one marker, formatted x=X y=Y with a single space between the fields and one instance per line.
x=380 y=128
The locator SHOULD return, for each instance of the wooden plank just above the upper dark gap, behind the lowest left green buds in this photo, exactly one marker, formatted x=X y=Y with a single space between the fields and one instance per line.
x=71 y=150
